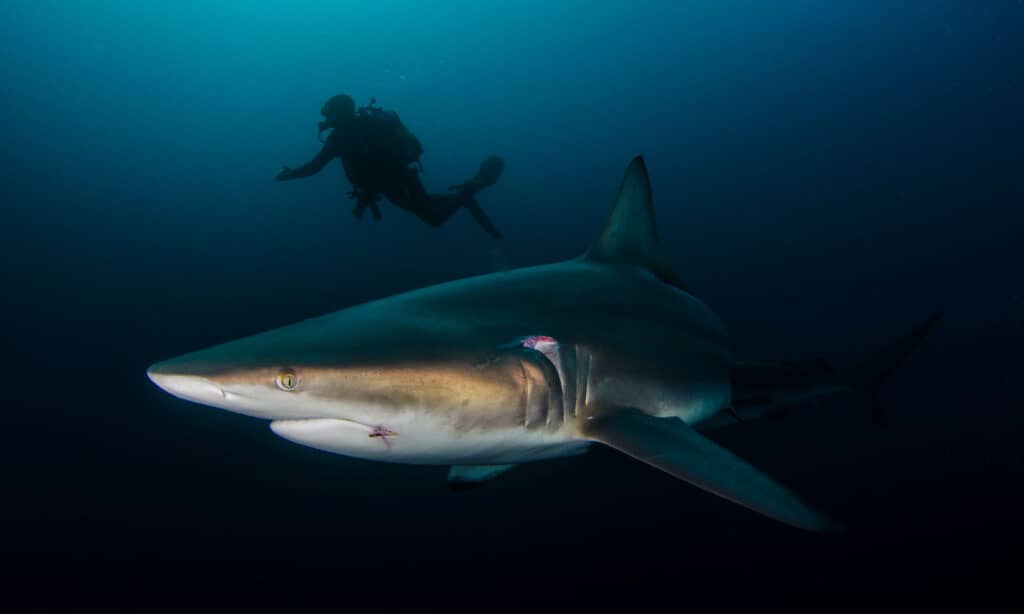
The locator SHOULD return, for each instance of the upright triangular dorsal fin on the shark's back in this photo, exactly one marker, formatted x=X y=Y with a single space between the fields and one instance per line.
x=630 y=236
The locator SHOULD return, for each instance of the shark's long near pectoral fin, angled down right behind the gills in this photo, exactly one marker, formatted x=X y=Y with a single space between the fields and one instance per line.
x=671 y=446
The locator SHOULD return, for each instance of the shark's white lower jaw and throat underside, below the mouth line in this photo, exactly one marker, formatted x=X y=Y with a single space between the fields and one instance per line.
x=426 y=441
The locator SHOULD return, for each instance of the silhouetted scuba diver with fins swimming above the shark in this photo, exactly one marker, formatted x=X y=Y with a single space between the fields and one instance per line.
x=382 y=158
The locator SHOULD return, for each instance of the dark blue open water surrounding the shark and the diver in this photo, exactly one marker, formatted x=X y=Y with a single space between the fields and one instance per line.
x=826 y=176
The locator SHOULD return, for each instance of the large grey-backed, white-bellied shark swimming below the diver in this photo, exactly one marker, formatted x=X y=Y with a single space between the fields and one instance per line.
x=486 y=373
